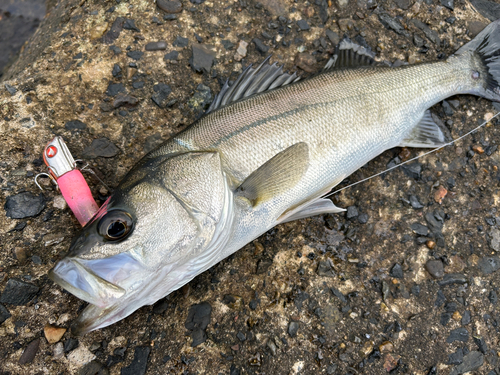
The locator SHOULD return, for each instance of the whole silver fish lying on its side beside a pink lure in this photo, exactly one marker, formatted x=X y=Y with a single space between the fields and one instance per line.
x=267 y=151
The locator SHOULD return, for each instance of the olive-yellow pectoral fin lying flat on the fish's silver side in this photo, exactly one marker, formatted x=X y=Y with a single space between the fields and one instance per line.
x=277 y=175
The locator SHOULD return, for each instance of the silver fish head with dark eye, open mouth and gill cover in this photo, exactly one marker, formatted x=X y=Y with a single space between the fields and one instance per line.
x=160 y=228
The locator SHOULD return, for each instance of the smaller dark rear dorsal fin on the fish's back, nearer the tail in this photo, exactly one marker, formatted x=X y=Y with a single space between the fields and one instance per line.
x=350 y=55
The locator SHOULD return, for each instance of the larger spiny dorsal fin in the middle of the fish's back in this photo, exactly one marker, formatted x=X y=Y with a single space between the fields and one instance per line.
x=252 y=81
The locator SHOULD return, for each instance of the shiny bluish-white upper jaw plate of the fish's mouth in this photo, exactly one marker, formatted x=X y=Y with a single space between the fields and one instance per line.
x=85 y=284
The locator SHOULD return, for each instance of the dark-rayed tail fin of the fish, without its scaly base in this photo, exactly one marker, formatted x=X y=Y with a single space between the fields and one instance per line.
x=486 y=45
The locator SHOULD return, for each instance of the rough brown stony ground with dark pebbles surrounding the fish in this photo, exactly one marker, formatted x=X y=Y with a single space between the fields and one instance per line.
x=405 y=282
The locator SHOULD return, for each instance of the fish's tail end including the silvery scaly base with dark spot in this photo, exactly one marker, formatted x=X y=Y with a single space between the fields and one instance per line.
x=483 y=57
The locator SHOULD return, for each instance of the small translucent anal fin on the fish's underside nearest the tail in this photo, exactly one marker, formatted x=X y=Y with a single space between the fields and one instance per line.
x=426 y=134
